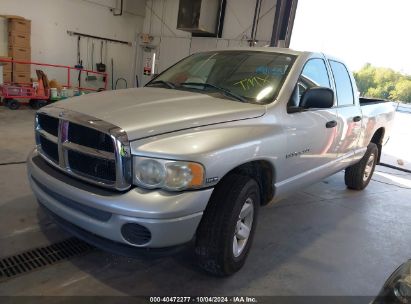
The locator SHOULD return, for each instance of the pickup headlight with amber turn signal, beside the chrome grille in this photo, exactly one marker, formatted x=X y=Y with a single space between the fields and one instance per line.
x=166 y=174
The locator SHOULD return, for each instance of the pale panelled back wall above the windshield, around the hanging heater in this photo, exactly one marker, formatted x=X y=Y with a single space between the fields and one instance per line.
x=172 y=44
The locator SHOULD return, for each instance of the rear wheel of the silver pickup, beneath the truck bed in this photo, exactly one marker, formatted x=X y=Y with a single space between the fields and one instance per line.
x=356 y=177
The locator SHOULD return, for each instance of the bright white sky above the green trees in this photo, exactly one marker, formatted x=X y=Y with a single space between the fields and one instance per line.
x=357 y=31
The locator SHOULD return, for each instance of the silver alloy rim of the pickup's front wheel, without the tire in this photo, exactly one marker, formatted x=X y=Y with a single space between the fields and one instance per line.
x=243 y=227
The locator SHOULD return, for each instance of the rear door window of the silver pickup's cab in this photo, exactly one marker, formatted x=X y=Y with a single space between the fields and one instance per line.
x=343 y=85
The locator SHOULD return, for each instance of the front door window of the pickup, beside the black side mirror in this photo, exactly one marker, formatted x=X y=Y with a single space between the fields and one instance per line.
x=314 y=74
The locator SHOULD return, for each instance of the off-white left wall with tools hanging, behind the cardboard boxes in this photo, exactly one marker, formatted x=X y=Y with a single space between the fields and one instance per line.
x=52 y=18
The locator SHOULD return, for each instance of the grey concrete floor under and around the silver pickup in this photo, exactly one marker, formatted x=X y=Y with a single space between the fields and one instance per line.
x=324 y=240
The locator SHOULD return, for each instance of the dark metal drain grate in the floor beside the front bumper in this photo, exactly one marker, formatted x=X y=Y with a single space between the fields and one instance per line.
x=38 y=258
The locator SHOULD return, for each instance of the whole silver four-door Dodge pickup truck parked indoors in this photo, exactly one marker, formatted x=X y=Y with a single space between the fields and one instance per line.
x=192 y=156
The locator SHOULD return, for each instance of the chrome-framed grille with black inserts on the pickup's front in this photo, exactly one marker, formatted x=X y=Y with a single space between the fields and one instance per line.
x=84 y=147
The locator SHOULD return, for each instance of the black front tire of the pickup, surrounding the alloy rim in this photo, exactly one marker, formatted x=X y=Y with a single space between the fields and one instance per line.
x=220 y=222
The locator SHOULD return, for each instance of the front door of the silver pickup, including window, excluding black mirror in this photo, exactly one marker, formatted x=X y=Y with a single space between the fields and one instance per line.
x=310 y=134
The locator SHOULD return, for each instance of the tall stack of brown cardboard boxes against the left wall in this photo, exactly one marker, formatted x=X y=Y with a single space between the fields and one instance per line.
x=19 y=48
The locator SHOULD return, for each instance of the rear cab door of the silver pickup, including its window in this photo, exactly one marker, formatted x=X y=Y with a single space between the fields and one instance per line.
x=349 y=114
